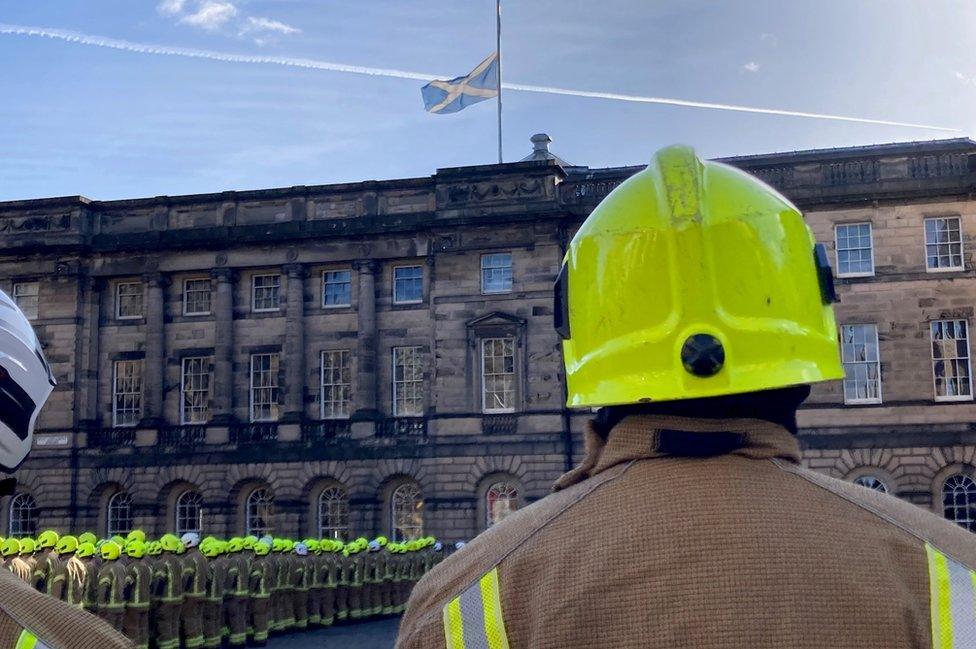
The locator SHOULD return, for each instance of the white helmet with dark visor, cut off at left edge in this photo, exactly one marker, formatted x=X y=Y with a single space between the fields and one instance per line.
x=25 y=383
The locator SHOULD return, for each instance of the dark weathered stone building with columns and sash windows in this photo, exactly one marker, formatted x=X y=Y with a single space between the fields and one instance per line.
x=379 y=357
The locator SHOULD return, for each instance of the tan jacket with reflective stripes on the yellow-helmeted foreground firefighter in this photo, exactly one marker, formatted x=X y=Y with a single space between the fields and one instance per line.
x=639 y=548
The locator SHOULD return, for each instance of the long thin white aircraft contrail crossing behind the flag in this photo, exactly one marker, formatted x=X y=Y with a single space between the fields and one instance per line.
x=166 y=50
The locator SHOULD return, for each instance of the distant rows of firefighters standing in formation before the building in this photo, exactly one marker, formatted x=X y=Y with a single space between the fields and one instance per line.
x=189 y=592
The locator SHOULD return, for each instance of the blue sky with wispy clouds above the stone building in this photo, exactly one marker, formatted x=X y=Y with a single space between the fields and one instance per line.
x=109 y=123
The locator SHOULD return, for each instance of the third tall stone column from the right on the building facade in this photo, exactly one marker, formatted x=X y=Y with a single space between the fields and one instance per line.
x=222 y=405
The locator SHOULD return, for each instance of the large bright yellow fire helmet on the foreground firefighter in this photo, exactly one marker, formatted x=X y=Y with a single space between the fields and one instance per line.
x=693 y=279
